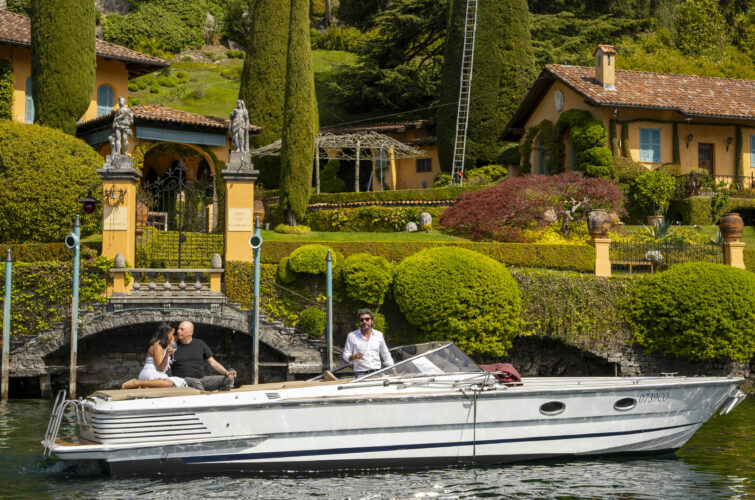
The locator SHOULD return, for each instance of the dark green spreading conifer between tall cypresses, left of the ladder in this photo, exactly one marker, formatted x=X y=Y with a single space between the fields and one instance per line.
x=399 y=60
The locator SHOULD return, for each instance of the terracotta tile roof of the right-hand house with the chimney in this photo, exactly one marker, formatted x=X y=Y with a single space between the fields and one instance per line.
x=691 y=95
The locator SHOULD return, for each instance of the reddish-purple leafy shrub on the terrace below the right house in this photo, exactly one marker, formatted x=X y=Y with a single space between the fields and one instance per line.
x=505 y=211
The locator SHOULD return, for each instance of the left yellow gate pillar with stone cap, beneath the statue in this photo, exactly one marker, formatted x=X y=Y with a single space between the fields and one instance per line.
x=119 y=185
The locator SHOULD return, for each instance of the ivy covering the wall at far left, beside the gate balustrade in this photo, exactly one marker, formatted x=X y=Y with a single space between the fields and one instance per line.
x=42 y=292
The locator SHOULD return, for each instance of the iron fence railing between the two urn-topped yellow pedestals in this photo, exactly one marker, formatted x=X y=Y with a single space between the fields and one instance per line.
x=652 y=256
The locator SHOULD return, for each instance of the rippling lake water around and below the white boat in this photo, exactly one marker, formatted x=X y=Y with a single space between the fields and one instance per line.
x=718 y=462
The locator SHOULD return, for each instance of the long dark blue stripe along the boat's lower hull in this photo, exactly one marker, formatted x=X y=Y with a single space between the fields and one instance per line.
x=370 y=449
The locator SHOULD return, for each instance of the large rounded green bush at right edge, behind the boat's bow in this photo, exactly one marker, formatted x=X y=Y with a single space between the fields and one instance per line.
x=695 y=310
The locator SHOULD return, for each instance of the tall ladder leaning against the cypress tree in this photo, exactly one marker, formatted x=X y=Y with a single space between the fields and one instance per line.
x=465 y=88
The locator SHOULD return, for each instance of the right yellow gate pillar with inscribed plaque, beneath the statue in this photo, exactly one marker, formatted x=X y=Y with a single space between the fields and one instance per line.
x=239 y=177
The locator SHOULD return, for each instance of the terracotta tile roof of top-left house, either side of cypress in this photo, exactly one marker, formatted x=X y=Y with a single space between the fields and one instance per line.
x=16 y=30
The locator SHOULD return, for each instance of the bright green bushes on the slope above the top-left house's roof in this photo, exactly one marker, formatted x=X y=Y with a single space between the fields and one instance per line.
x=159 y=27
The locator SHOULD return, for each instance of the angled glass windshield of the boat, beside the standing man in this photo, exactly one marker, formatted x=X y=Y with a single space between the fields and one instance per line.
x=443 y=360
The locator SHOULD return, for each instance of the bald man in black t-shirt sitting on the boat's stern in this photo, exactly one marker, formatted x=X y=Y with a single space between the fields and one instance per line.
x=189 y=358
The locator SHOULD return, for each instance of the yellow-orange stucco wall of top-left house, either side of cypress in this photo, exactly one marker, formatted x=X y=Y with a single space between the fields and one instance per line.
x=109 y=72
